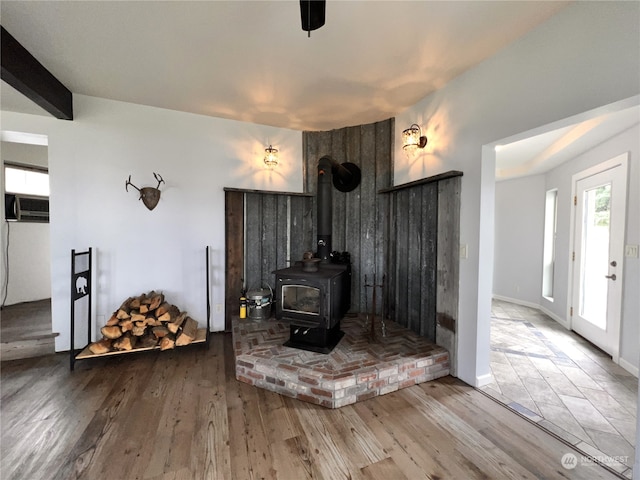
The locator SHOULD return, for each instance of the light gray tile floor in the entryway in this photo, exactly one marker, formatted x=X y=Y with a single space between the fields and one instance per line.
x=565 y=384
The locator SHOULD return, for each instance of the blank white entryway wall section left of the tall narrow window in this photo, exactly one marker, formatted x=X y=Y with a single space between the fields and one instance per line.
x=519 y=226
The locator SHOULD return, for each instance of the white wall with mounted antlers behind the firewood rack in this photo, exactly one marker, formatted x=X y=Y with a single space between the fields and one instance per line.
x=137 y=249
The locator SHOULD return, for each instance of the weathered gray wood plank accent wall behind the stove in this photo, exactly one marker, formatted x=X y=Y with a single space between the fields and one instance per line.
x=407 y=235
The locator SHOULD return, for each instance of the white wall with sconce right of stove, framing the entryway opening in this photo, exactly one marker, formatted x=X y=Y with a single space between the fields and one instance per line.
x=586 y=56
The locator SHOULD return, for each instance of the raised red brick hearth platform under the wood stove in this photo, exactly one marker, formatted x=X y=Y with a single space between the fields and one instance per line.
x=354 y=371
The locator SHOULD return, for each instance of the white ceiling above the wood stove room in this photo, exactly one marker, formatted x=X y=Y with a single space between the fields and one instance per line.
x=251 y=60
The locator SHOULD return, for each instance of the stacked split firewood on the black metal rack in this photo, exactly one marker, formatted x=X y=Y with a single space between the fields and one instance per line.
x=146 y=322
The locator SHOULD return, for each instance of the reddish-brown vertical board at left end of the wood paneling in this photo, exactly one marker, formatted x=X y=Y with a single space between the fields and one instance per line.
x=234 y=253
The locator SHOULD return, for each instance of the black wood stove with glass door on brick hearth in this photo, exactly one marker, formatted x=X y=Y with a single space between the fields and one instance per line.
x=313 y=303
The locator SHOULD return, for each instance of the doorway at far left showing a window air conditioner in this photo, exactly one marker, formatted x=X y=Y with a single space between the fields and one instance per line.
x=25 y=279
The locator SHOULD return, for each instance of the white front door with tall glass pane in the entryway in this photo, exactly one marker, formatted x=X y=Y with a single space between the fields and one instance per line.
x=600 y=205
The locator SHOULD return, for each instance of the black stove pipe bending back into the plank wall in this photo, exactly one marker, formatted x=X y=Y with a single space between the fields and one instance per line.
x=345 y=177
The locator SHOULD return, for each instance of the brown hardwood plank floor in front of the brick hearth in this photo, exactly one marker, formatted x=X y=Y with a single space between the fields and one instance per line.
x=182 y=415
